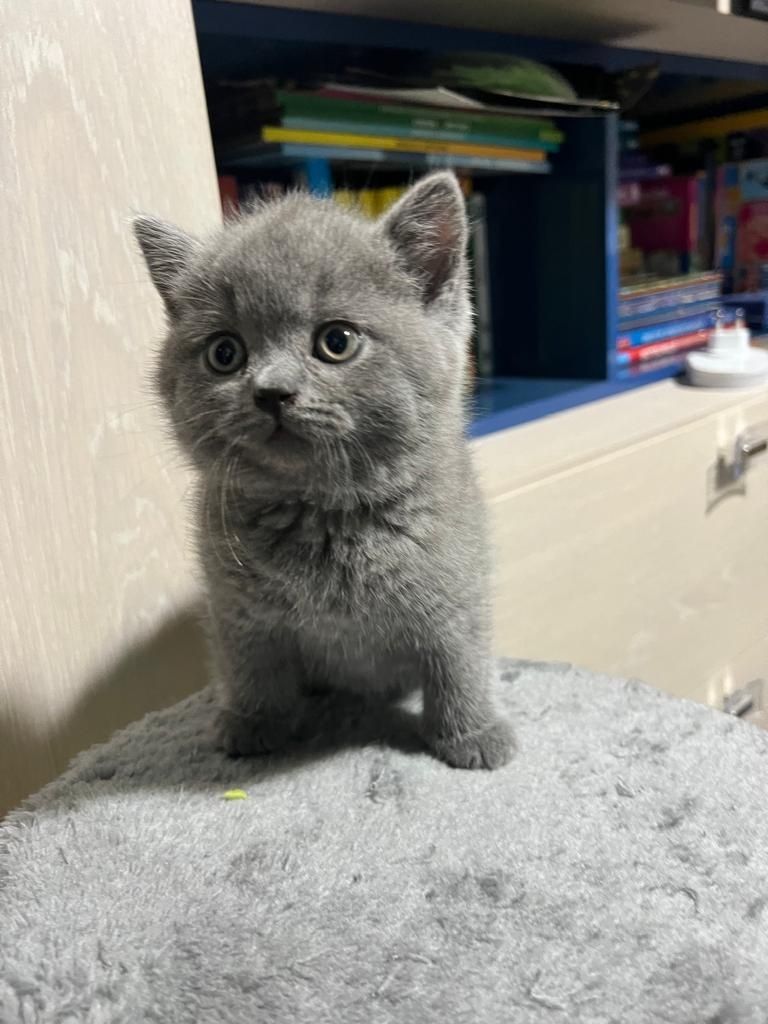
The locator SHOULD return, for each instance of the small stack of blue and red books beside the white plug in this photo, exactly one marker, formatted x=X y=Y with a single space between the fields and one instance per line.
x=664 y=318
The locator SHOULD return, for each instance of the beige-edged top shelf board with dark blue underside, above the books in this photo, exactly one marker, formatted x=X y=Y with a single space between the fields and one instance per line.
x=687 y=36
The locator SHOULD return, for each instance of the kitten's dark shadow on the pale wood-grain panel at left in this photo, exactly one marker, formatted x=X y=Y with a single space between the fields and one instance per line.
x=167 y=667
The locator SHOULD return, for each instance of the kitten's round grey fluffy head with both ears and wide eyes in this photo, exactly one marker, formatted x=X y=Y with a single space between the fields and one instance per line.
x=312 y=351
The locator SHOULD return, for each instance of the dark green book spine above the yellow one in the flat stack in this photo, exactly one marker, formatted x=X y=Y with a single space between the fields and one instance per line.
x=417 y=118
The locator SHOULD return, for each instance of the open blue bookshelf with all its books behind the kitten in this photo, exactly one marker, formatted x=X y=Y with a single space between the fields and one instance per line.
x=629 y=194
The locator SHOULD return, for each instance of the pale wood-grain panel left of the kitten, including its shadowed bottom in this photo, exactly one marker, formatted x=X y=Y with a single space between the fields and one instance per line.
x=103 y=114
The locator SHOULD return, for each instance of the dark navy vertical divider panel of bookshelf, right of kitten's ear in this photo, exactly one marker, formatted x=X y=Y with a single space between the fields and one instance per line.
x=552 y=247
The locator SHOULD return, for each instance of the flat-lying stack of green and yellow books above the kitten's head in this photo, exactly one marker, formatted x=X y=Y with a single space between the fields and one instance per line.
x=394 y=127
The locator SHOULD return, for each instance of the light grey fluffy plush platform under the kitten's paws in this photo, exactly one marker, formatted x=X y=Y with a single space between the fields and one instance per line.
x=616 y=872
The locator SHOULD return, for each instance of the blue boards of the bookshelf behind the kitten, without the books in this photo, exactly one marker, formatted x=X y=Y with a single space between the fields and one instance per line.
x=552 y=228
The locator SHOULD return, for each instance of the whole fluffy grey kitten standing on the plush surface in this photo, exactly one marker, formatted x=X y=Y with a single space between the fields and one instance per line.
x=314 y=373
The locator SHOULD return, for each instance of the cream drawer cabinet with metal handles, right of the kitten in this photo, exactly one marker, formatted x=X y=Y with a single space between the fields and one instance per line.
x=616 y=549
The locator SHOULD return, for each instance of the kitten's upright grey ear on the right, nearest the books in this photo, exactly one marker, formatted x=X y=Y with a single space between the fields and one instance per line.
x=429 y=228
